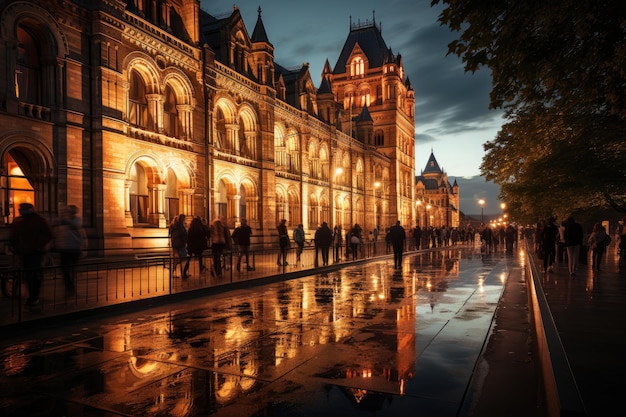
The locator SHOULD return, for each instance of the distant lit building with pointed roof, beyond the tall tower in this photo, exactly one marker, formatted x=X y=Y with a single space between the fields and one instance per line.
x=437 y=201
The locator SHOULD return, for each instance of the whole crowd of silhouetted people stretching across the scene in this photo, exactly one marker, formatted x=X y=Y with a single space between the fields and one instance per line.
x=32 y=236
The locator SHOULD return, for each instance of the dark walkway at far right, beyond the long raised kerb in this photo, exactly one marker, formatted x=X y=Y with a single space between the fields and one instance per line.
x=589 y=312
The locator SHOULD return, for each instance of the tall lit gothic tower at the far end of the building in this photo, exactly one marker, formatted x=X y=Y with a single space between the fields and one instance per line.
x=368 y=75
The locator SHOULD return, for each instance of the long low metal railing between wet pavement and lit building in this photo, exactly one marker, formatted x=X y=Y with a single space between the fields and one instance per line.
x=105 y=282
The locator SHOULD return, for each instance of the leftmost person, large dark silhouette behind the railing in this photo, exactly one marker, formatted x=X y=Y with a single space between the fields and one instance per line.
x=30 y=234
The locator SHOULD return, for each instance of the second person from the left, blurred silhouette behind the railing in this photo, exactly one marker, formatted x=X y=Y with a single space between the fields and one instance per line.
x=69 y=239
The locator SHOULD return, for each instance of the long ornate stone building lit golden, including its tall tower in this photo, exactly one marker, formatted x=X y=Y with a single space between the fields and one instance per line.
x=138 y=111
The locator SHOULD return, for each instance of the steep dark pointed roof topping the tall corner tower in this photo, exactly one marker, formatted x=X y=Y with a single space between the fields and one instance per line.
x=370 y=40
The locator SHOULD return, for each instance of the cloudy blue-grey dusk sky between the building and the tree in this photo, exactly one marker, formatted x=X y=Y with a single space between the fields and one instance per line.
x=451 y=107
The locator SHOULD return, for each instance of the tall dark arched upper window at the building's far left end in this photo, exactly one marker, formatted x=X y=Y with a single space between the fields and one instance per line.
x=28 y=69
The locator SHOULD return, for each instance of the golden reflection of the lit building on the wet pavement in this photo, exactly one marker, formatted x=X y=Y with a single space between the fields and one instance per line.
x=183 y=362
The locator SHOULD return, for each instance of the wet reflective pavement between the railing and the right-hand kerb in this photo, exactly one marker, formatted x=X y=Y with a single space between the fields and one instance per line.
x=360 y=340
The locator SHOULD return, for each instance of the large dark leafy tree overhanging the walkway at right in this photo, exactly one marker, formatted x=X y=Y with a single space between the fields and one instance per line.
x=558 y=71
